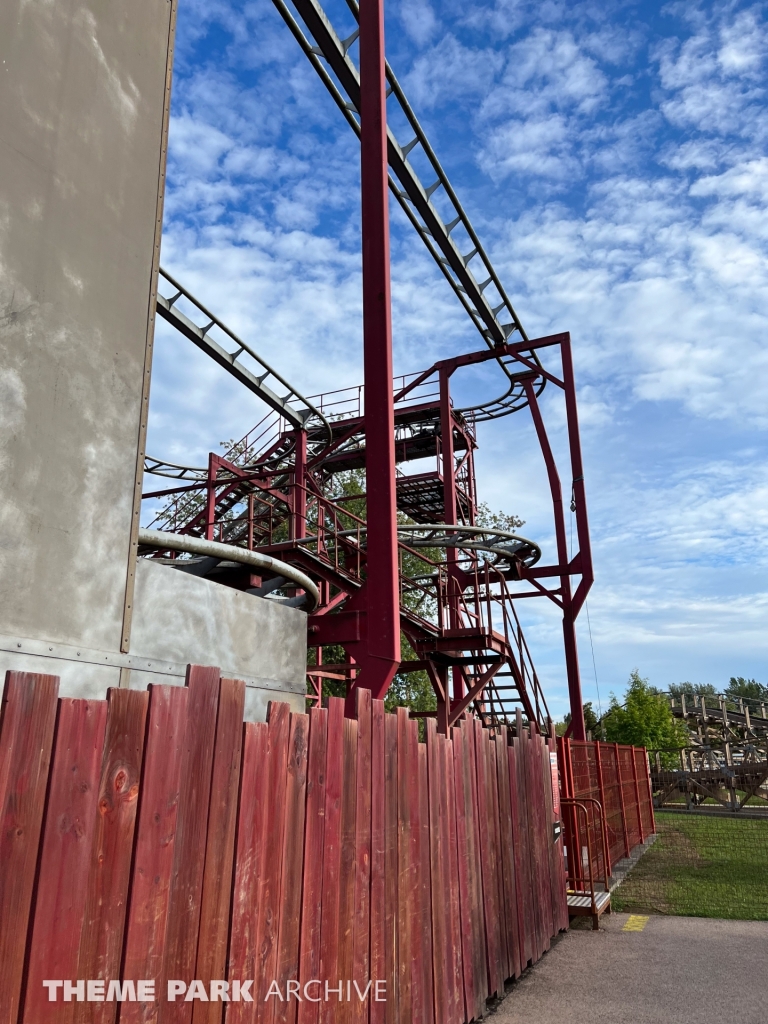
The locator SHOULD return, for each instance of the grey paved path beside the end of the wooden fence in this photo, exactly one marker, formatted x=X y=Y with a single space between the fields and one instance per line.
x=676 y=971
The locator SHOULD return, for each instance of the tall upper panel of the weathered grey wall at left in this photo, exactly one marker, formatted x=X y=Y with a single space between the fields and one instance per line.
x=83 y=93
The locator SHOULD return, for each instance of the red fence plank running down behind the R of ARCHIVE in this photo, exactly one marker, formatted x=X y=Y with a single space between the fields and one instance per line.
x=293 y=864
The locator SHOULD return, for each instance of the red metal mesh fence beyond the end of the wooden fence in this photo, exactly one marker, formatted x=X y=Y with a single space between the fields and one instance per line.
x=618 y=779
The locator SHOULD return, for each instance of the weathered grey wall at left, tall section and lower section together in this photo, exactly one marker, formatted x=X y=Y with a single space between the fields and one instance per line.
x=84 y=90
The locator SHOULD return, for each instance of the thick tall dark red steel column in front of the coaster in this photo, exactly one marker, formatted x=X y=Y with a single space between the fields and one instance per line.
x=383 y=647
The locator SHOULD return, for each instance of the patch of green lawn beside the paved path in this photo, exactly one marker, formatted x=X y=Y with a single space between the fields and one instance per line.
x=702 y=868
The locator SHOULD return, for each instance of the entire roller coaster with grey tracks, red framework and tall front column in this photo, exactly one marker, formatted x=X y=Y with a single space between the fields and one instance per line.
x=408 y=557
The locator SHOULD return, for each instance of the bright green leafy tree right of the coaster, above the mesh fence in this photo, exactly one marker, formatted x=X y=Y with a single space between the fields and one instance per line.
x=646 y=720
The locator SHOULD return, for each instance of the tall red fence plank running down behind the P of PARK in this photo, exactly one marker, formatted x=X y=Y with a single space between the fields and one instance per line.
x=190 y=846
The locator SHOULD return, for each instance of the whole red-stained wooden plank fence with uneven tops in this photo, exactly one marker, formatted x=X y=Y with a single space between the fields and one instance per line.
x=153 y=836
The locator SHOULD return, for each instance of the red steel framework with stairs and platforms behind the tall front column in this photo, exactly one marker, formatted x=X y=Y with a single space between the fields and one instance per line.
x=296 y=495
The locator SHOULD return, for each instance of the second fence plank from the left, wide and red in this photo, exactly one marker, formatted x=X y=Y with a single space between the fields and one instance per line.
x=65 y=856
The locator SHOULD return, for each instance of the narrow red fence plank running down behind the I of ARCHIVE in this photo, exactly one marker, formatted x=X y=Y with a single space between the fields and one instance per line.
x=345 y=1012
